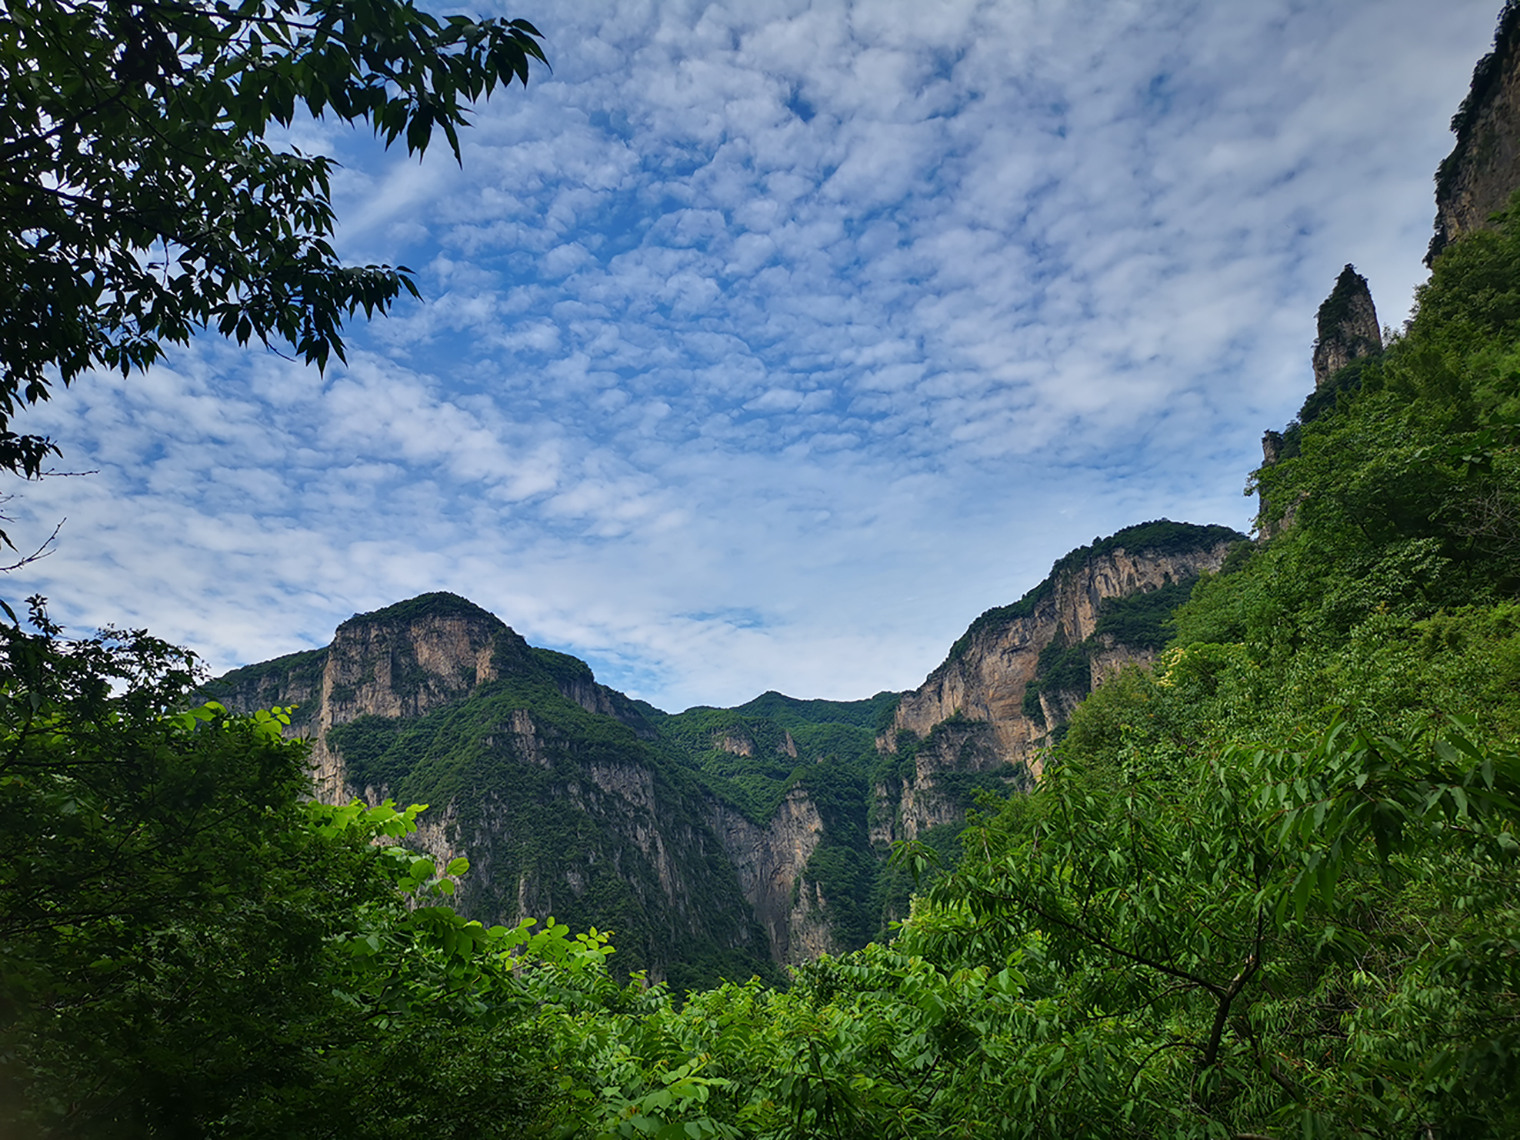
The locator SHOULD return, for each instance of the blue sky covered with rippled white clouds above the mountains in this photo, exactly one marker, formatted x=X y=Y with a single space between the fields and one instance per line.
x=767 y=346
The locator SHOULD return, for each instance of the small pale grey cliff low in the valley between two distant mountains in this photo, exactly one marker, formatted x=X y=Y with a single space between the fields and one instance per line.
x=770 y=863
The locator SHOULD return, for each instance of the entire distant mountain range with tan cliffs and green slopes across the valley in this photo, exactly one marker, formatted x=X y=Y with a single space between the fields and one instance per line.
x=714 y=841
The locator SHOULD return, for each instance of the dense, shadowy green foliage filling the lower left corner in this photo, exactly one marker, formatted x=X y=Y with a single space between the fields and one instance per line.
x=189 y=948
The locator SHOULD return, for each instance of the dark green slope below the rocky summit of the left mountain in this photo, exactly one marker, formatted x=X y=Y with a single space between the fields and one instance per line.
x=556 y=812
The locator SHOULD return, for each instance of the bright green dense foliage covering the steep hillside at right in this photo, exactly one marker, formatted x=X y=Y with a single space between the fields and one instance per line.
x=1265 y=890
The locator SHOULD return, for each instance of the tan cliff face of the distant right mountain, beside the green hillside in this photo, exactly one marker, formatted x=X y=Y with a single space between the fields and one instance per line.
x=975 y=712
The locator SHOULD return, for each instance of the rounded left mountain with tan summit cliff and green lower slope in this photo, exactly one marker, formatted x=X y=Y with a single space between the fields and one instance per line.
x=537 y=773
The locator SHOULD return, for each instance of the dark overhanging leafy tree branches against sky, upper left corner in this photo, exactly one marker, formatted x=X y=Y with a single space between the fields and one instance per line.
x=141 y=200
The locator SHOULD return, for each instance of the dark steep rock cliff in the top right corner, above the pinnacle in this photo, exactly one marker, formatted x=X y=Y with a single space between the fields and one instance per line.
x=1484 y=168
